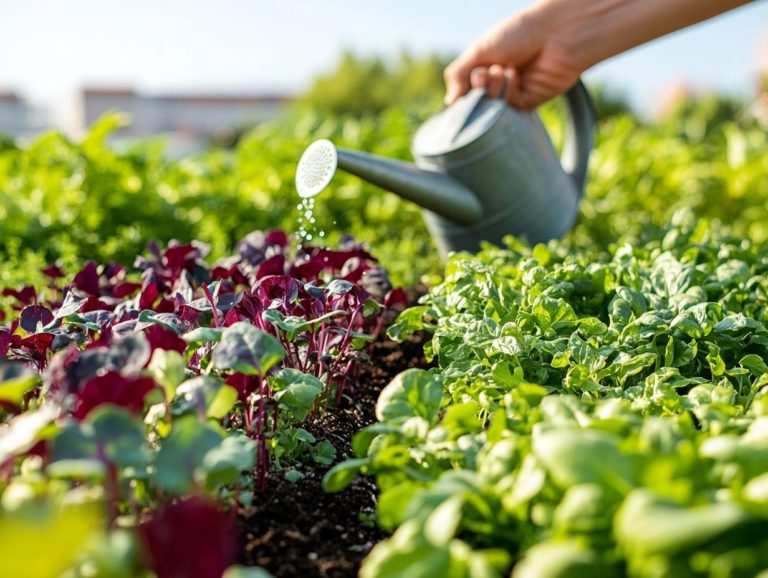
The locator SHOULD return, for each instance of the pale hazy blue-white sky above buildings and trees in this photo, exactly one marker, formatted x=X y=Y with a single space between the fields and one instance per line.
x=48 y=48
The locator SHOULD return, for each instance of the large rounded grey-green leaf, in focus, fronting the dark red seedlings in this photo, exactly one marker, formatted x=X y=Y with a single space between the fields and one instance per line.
x=246 y=349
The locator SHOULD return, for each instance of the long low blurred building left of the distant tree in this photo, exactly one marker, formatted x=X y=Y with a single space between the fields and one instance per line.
x=195 y=116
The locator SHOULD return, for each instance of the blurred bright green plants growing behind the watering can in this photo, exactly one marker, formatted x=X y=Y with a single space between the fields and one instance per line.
x=86 y=200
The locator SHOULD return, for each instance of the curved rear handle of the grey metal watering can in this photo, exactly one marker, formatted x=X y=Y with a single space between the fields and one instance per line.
x=579 y=135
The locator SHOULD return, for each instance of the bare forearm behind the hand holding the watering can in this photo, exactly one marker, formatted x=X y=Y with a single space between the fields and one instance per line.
x=594 y=30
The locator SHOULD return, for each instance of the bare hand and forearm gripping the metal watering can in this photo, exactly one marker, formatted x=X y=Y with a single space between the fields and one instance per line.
x=540 y=52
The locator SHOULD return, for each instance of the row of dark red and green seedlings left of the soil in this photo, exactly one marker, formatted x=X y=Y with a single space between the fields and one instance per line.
x=139 y=413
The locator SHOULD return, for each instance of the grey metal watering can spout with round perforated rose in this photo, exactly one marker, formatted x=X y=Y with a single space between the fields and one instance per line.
x=429 y=189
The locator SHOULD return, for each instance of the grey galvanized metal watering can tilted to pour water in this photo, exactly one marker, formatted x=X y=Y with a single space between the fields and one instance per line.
x=483 y=170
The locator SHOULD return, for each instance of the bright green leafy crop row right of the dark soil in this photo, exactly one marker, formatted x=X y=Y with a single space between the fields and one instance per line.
x=590 y=415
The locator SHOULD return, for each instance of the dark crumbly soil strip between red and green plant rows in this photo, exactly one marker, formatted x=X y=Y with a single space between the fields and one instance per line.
x=299 y=531
